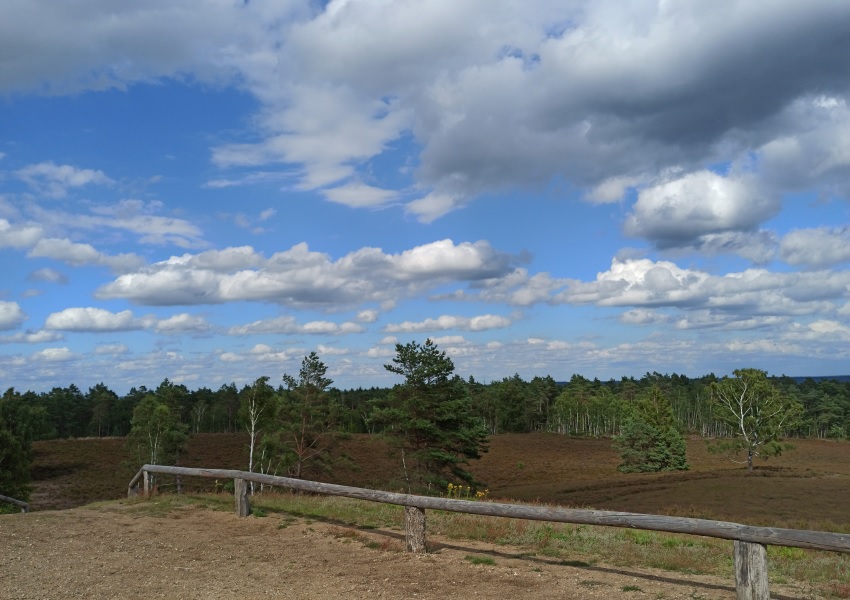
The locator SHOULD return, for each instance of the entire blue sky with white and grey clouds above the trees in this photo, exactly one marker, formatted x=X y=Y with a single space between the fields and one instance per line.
x=208 y=190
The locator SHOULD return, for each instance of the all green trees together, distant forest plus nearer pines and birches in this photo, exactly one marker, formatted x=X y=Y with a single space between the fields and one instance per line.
x=436 y=419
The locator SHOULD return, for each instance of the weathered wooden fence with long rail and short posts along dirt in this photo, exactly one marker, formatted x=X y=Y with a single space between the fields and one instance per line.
x=749 y=548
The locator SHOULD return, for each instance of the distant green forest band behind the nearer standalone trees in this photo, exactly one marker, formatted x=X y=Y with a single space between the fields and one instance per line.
x=579 y=406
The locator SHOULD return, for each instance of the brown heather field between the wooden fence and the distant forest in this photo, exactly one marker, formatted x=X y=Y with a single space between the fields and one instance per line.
x=807 y=487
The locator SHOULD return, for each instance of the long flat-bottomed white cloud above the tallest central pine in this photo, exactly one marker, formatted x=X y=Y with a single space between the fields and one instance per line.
x=301 y=277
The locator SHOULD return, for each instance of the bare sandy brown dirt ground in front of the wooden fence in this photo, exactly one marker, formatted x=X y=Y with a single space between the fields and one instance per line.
x=117 y=551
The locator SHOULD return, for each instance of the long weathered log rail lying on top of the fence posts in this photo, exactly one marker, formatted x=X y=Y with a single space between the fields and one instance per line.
x=817 y=540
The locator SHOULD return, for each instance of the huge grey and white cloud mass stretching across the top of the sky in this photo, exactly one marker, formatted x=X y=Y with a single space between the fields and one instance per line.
x=489 y=96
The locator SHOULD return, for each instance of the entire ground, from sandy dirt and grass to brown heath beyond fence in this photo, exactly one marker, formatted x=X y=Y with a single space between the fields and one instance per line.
x=174 y=548
